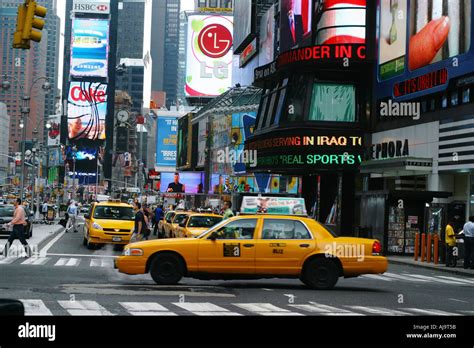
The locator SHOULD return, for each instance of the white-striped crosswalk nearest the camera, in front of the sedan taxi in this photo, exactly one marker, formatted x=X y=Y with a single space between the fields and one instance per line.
x=37 y=307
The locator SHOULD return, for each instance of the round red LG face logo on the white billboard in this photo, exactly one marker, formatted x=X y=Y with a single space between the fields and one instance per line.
x=215 y=40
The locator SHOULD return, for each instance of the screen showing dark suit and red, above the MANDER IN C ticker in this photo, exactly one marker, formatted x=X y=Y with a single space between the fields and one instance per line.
x=295 y=22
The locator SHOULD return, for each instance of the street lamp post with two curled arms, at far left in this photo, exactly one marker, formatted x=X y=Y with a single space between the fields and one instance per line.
x=25 y=112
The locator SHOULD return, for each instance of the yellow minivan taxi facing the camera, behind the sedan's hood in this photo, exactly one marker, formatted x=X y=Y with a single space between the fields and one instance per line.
x=110 y=222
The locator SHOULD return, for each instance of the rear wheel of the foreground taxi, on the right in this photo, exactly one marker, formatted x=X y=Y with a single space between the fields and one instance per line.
x=320 y=274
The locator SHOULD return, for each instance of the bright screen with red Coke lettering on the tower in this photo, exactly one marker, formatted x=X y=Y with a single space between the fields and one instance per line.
x=87 y=110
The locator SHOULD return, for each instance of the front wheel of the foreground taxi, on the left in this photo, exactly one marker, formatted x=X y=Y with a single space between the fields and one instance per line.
x=166 y=269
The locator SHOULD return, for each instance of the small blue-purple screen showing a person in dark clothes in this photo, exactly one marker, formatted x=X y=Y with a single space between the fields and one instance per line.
x=186 y=182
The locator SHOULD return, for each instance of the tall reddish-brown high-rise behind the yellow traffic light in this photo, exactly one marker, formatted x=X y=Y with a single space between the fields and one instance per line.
x=26 y=66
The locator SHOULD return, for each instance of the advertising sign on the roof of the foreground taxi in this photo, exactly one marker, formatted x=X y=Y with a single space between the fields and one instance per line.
x=273 y=205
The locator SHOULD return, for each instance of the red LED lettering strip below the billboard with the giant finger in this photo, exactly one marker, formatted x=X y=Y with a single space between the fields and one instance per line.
x=421 y=83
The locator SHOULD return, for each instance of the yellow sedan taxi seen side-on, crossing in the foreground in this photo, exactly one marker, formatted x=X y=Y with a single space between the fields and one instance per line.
x=257 y=246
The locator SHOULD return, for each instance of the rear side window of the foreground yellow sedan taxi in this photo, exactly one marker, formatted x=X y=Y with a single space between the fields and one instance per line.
x=284 y=229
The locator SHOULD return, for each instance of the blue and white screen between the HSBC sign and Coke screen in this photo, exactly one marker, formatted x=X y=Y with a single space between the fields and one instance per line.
x=89 y=47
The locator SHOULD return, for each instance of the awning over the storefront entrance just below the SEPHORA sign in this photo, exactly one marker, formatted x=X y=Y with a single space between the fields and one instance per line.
x=393 y=167
